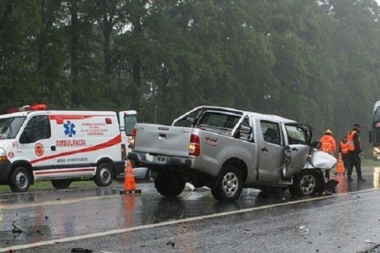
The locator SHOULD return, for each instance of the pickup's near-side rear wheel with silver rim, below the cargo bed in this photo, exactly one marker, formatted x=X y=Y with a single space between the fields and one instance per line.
x=229 y=184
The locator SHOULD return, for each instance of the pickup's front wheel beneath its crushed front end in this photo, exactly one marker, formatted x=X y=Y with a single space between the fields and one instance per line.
x=306 y=183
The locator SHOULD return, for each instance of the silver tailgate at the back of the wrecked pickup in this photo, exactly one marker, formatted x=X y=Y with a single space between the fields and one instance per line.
x=162 y=139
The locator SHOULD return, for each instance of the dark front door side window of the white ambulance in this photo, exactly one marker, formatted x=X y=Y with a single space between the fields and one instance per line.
x=38 y=128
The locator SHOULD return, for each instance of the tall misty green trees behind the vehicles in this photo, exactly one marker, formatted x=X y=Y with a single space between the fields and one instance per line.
x=312 y=61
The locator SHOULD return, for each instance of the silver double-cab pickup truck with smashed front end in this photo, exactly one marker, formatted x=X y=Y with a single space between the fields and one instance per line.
x=227 y=149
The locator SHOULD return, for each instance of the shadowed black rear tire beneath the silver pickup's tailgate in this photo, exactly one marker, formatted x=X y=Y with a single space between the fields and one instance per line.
x=169 y=184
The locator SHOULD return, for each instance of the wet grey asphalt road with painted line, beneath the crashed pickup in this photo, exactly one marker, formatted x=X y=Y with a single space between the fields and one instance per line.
x=102 y=220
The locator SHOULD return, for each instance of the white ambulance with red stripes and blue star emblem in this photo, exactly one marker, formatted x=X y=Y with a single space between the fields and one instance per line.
x=62 y=146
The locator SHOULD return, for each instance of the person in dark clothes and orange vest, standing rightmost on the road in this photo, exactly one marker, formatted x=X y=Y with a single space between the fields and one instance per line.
x=354 y=153
